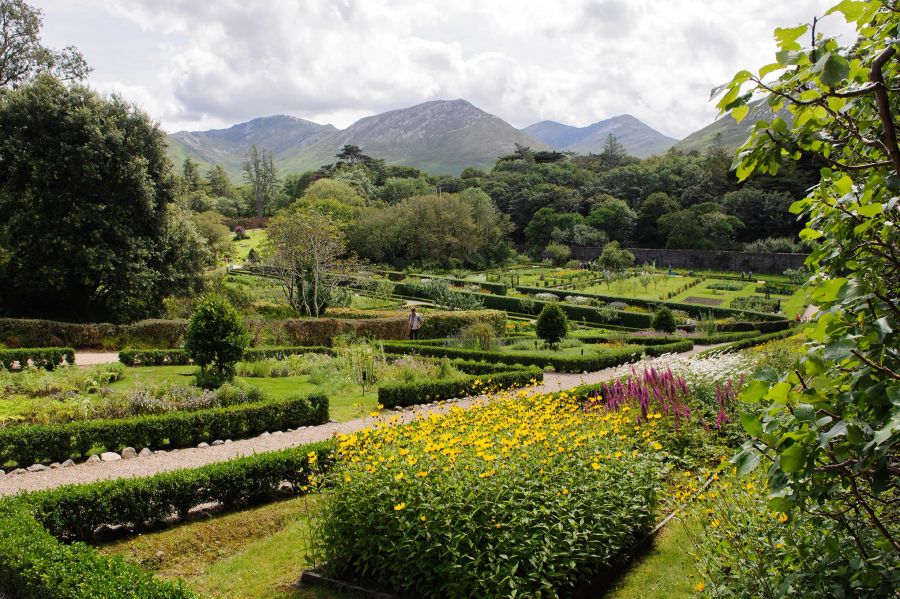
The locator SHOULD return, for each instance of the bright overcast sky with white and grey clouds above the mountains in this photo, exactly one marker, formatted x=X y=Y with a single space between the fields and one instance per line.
x=200 y=64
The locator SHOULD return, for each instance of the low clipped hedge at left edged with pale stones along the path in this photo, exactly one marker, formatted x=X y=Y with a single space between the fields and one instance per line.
x=33 y=443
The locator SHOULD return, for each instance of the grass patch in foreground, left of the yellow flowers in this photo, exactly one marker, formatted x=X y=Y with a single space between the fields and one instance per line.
x=255 y=553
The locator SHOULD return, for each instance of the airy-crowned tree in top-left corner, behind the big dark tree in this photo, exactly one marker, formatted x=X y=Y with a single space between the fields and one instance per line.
x=22 y=55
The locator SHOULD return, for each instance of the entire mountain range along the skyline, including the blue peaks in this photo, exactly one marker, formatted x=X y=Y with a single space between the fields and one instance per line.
x=439 y=137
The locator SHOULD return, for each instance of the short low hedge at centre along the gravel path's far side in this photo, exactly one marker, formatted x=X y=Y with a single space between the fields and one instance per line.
x=408 y=394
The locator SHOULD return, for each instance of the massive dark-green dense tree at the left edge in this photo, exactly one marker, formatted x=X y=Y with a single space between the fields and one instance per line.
x=86 y=193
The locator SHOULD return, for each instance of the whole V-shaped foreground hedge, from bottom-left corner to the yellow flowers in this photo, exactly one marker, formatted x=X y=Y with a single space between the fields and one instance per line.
x=34 y=564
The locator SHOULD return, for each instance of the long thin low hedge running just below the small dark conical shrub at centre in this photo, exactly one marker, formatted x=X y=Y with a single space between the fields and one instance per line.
x=612 y=357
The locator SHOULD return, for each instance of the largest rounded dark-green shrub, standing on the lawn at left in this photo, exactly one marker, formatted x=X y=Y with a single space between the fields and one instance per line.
x=215 y=340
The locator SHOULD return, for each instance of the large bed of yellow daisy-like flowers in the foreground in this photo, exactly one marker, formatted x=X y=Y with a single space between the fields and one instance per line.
x=519 y=497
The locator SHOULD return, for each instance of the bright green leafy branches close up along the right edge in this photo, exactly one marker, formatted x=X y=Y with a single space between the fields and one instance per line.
x=831 y=426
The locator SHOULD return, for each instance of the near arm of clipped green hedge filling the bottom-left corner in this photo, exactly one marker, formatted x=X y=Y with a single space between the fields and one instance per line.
x=34 y=565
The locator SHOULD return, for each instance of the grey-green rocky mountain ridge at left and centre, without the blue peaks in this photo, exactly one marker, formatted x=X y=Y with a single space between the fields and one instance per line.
x=440 y=137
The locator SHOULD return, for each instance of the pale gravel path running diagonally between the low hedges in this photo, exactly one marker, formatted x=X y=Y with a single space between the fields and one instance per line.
x=194 y=457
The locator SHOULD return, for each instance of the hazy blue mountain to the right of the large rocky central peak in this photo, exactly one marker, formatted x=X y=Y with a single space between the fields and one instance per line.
x=639 y=139
